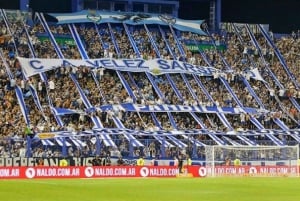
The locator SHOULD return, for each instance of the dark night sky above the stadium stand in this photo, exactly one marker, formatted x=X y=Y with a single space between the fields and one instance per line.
x=282 y=15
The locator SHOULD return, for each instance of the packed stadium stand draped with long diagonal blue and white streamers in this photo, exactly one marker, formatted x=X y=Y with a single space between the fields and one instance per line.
x=252 y=98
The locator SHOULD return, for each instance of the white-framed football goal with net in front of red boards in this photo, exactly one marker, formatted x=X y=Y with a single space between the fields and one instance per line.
x=252 y=160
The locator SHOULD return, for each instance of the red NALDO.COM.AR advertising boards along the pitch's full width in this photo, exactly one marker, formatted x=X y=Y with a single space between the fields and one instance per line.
x=144 y=171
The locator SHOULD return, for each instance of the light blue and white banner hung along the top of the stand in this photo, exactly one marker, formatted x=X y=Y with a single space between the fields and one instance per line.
x=131 y=18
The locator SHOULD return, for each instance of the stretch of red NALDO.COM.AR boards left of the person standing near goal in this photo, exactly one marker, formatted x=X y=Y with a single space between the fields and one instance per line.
x=87 y=172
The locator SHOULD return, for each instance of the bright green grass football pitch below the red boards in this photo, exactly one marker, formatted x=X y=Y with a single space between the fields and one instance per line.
x=146 y=189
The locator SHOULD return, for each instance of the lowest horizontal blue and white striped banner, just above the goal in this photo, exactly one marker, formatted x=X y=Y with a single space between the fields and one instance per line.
x=62 y=136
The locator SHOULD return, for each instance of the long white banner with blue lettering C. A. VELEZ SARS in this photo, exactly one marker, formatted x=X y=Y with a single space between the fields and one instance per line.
x=155 y=66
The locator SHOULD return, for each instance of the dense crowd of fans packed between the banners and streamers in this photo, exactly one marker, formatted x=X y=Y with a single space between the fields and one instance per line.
x=102 y=86
